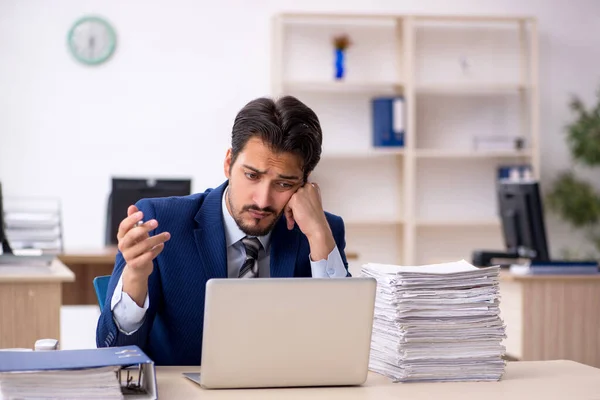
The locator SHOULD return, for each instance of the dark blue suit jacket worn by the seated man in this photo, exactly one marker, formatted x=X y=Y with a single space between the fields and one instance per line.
x=171 y=333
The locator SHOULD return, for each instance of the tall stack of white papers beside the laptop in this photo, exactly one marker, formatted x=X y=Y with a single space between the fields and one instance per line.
x=437 y=323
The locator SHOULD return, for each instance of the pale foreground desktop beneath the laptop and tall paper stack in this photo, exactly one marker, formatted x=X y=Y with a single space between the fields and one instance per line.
x=526 y=379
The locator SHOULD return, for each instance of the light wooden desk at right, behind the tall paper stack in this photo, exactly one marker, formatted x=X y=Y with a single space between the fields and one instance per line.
x=551 y=317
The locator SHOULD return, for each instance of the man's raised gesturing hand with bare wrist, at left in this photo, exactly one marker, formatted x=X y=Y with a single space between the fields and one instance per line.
x=138 y=249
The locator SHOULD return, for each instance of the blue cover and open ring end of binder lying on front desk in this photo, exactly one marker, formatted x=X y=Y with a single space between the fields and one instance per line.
x=133 y=369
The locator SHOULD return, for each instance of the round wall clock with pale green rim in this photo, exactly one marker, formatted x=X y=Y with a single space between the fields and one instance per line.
x=92 y=40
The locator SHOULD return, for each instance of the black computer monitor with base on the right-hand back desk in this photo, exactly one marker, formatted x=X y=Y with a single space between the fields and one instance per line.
x=523 y=227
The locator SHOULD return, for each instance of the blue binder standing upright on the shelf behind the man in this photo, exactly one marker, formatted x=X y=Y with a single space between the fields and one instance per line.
x=388 y=121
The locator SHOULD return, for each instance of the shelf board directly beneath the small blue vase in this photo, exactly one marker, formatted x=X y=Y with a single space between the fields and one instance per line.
x=343 y=87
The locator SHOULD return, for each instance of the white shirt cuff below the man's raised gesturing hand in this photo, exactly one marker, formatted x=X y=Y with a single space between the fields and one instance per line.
x=128 y=316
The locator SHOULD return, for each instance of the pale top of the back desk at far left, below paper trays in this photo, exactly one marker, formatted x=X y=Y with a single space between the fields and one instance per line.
x=56 y=272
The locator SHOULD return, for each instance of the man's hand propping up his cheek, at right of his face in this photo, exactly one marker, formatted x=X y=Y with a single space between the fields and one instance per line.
x=306 y=209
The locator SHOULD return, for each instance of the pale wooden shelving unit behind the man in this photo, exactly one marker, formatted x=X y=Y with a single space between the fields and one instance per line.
x=461 y=76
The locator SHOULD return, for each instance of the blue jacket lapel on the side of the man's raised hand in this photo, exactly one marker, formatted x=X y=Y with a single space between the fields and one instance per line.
x=210 y=235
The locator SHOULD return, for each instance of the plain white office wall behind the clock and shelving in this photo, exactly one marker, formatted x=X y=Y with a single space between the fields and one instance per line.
x=164 y=105
